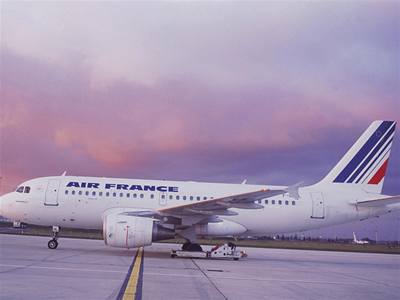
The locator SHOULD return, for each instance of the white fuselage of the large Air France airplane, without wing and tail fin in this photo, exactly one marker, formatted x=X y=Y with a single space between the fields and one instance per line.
x=51 y=202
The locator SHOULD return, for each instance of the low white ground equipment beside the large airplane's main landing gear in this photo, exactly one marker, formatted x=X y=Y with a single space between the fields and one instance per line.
x=225 y=251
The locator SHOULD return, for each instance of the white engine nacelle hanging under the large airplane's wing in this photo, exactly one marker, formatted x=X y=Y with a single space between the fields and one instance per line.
x=130 y=232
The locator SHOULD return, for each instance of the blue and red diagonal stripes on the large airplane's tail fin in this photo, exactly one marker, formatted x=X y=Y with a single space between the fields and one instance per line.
x=370 y=162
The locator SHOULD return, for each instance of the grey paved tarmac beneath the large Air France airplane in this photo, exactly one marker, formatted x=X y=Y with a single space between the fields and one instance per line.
x=88 y=269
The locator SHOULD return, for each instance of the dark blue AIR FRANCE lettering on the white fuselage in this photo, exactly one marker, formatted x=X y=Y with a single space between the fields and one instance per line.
x=130 y=187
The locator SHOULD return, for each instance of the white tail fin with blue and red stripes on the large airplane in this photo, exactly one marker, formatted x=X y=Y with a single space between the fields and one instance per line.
x=366 y=162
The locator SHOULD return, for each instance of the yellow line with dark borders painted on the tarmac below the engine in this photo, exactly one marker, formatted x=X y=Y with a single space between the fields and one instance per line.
x=132 y=286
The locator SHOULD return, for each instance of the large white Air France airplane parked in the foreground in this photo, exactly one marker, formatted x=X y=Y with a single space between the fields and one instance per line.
x=136 y=212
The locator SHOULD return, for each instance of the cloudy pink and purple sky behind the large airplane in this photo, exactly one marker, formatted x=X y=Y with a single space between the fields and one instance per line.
x=271 y=92
